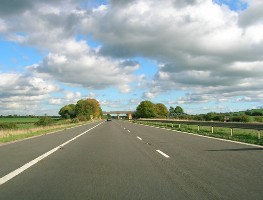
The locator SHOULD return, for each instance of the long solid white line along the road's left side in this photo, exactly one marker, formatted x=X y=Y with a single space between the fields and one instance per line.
x=36 y=160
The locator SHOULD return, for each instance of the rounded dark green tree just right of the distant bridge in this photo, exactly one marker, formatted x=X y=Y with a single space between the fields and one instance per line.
x=146 y=109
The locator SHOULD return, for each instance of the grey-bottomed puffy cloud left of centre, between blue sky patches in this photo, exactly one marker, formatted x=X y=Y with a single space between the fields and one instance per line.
x=88 y=70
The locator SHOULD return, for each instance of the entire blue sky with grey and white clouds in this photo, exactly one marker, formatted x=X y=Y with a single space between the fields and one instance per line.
x=203 y=55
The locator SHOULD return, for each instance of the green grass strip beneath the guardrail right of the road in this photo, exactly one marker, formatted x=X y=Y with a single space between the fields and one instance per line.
x=241 y=135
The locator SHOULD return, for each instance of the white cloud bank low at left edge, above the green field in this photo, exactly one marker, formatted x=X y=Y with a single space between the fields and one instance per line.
x=23 y=93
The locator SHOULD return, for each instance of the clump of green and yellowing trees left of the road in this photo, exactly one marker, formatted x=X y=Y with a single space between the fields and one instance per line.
x=84 y=109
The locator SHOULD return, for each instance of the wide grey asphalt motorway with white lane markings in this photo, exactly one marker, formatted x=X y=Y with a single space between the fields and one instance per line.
x=121 y=160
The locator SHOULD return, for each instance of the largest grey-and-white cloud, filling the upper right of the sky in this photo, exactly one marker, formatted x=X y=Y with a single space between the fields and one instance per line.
x=200 y=45
